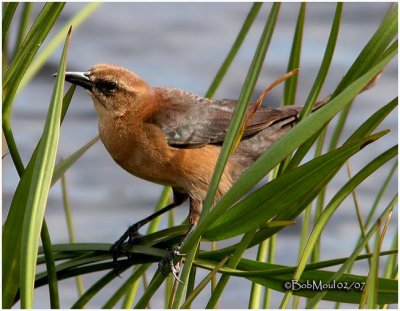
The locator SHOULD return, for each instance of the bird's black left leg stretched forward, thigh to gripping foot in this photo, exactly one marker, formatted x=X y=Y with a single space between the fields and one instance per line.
x=127 y=240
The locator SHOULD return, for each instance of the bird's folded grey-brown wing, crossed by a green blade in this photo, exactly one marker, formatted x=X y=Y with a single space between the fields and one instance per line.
x=190 y=121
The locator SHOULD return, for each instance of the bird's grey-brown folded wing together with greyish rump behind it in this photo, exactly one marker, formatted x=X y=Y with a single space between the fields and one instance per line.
x=189 y=121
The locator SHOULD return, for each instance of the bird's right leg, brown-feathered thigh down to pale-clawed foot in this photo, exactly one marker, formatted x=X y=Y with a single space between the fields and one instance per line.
x=166 y=265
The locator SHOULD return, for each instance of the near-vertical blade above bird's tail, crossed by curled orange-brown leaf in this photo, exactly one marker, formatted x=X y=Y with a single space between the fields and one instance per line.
x=289 y=94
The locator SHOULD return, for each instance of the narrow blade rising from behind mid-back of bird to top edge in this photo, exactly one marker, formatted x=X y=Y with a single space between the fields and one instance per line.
x=251 y=16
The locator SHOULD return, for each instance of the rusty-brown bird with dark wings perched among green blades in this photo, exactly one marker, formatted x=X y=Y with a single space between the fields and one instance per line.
x=173 y=137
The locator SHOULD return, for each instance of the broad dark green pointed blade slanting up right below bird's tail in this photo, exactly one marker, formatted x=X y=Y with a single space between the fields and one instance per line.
x=294 y=191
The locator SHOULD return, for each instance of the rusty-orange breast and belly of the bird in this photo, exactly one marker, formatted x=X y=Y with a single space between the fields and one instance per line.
x=142 y=150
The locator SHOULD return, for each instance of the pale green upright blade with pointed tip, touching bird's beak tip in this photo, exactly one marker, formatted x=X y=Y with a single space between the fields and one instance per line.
x=39 y=187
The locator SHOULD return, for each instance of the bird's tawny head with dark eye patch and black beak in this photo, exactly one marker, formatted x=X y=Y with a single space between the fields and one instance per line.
x=113 y=89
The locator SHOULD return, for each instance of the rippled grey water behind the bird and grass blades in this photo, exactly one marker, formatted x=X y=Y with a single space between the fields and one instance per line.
x=183 y=45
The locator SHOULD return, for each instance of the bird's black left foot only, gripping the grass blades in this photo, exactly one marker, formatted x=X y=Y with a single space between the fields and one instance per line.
x=123 y=245
